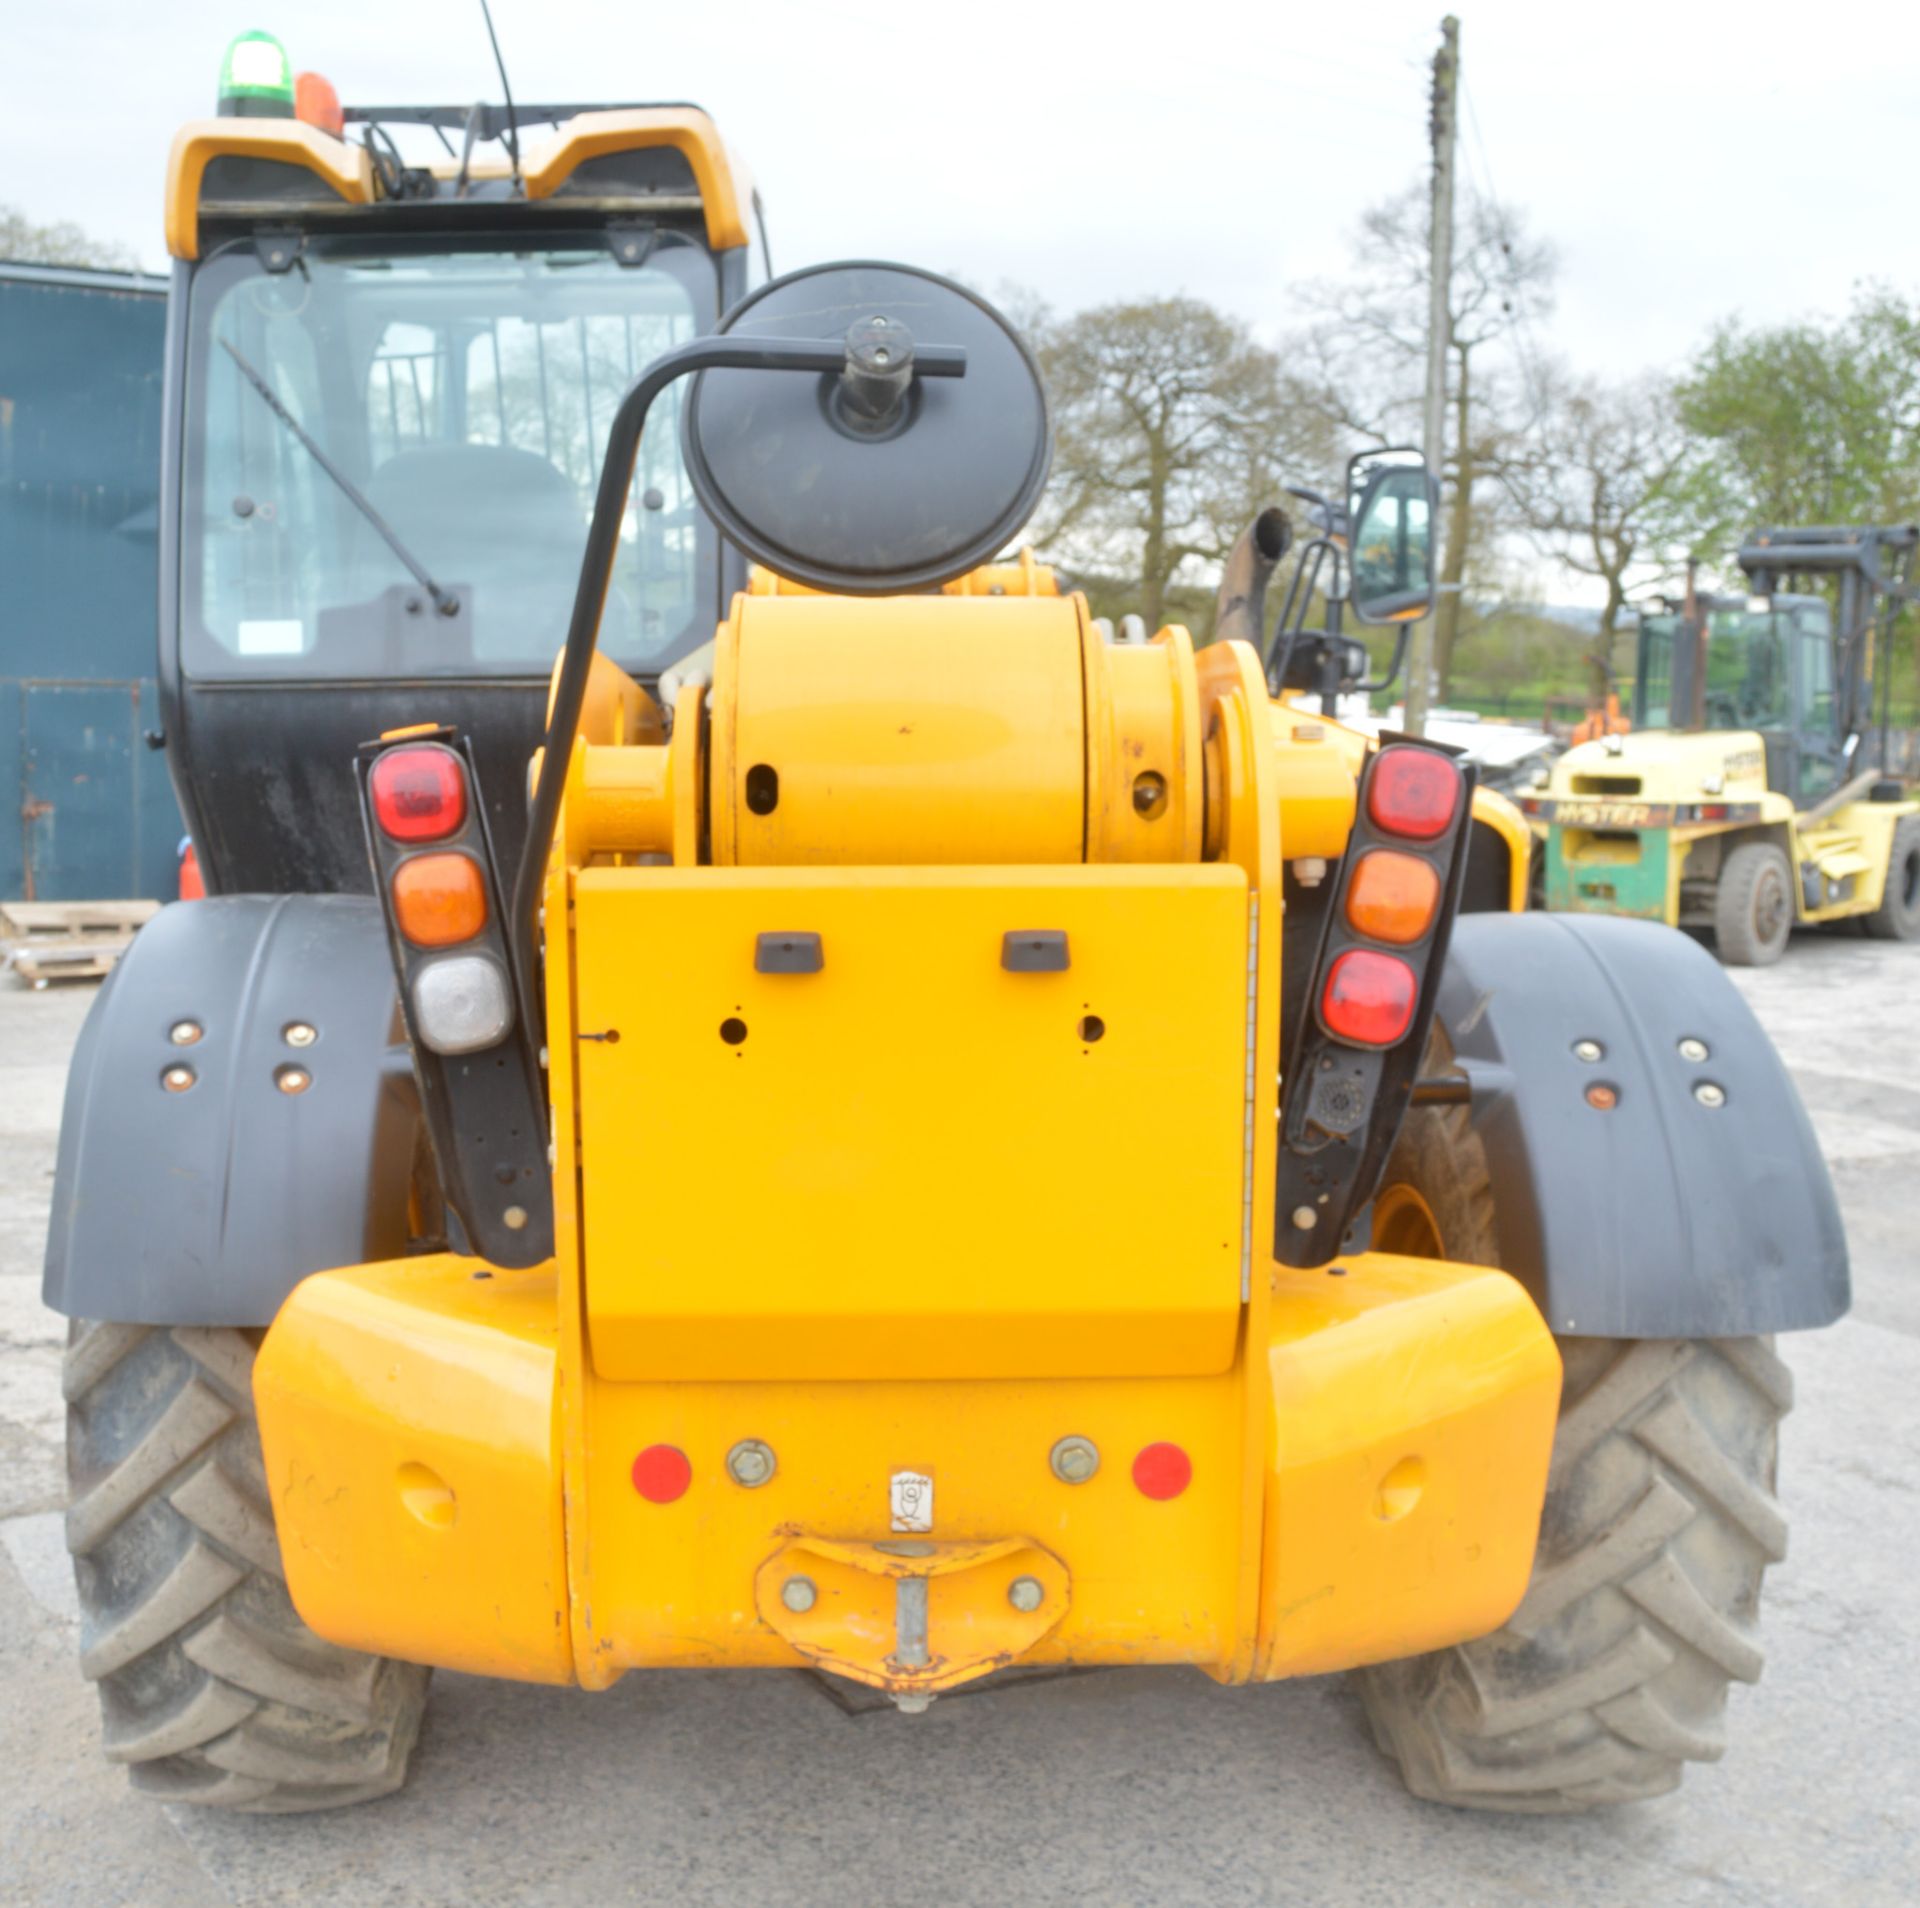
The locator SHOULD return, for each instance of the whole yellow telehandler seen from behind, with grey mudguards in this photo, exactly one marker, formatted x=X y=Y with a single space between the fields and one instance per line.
x=953 y=1145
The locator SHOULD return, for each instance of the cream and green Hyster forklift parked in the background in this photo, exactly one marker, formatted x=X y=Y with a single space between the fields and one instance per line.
x=1754 y=792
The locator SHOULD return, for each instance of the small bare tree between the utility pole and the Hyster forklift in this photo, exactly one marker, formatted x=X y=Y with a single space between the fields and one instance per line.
x=1604 y=490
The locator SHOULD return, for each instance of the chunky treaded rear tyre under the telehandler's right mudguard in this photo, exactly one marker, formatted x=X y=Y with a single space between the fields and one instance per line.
x=1660 y=1525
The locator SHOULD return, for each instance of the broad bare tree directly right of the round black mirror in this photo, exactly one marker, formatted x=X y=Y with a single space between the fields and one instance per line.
x=1172 y=429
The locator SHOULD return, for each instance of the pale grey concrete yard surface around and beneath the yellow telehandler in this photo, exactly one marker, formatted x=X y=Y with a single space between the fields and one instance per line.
x=1116 y=1788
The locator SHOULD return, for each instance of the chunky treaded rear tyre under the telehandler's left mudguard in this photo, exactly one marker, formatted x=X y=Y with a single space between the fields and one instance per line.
x=212 y=1690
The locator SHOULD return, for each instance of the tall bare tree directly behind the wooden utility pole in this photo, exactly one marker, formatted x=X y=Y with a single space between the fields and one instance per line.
x=1364 y=360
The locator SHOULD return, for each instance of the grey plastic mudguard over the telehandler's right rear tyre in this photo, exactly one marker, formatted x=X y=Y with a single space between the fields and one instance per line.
x=1664 y=1218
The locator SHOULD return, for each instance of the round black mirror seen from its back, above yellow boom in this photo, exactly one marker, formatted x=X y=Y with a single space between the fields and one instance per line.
x=871 y=481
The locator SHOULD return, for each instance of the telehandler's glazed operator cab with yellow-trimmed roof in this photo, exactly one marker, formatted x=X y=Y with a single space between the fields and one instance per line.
x=387 y=400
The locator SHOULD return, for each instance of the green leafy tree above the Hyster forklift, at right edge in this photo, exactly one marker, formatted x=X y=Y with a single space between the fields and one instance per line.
x=1806 y=423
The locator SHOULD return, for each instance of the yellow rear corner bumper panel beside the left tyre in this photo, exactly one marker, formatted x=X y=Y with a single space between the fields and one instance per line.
x=410 y=1421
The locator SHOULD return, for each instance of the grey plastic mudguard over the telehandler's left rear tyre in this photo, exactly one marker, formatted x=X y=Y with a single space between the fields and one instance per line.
x=208 y=1206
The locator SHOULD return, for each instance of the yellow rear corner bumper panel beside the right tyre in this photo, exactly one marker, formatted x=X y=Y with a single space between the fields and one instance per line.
x=1414 y=1419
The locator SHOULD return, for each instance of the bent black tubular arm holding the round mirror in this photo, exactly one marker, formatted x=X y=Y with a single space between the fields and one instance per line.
x=717 y=352
